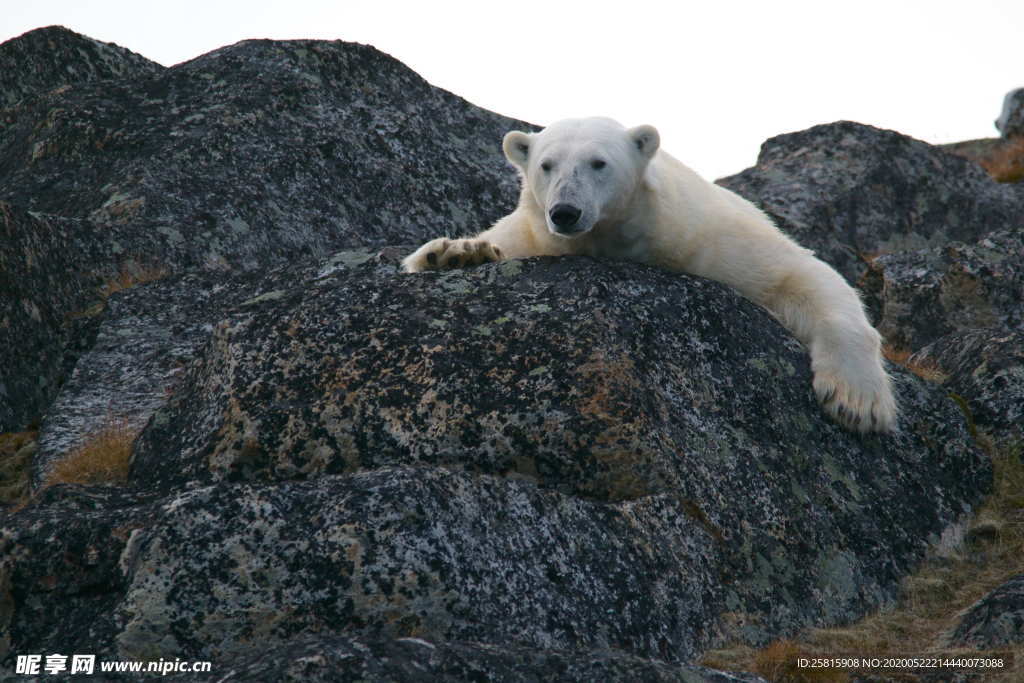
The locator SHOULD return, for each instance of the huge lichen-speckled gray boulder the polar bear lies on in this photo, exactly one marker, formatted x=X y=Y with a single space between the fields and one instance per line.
x=553 y=454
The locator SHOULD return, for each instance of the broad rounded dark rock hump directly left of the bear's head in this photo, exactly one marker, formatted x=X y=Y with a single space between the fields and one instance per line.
x=352 y=148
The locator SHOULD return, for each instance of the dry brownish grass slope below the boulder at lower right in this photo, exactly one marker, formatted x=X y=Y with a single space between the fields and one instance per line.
x=932 y=601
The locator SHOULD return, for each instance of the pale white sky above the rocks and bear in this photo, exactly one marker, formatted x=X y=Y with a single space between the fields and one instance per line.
x=717 y=77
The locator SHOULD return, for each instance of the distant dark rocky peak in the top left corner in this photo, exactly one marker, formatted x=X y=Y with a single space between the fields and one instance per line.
x=54 y=58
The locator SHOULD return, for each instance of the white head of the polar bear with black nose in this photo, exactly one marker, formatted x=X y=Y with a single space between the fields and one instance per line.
x=582 y=173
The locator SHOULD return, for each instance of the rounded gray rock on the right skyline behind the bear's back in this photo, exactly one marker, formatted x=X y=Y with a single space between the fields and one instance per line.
x=852 y=192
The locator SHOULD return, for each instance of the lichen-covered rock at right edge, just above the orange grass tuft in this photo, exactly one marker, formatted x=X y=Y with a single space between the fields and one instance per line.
x=925 y=295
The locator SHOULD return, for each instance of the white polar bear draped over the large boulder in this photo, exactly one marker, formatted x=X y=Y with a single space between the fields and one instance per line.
x=591 y=187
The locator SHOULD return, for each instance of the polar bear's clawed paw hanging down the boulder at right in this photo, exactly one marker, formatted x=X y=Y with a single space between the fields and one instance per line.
x=864 y=404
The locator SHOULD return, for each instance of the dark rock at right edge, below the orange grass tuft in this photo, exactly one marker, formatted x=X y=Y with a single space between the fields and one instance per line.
x=987 y=369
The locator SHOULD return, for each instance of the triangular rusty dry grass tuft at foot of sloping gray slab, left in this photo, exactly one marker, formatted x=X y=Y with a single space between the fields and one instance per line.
x=102 y=459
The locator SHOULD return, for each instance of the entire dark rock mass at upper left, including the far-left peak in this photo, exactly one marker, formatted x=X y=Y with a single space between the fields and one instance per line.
x=353 y=149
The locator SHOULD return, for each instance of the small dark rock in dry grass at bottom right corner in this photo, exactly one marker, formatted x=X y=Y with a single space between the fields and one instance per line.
x=996 y=621
